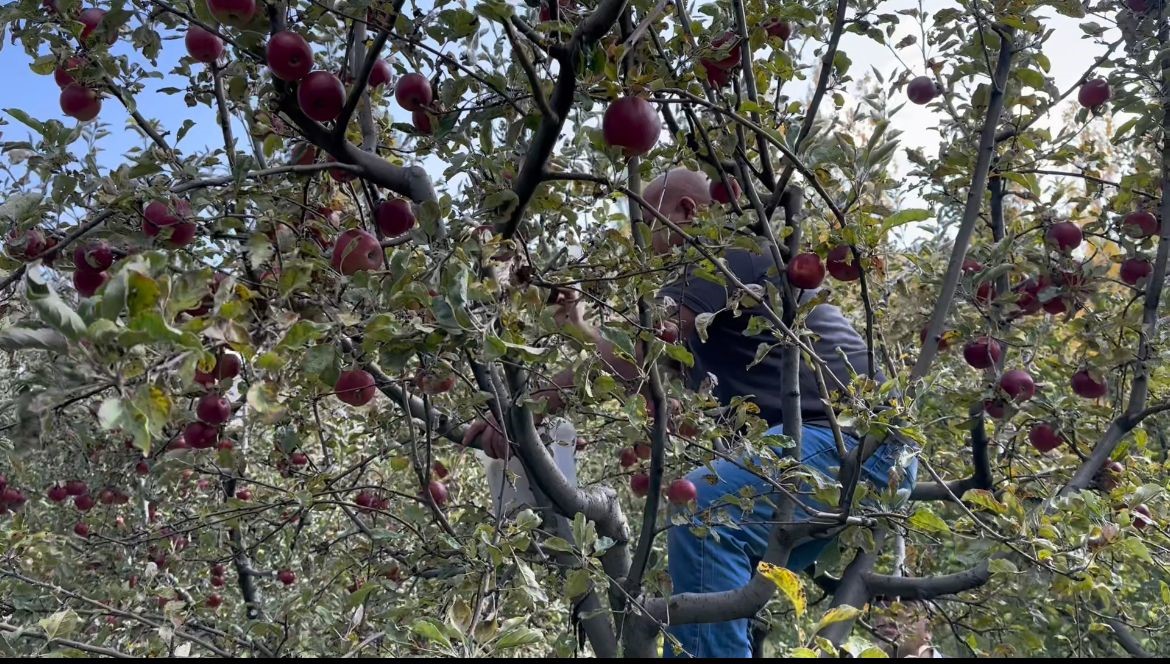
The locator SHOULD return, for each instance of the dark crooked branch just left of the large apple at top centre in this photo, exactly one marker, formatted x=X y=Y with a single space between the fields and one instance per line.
x=532 y=172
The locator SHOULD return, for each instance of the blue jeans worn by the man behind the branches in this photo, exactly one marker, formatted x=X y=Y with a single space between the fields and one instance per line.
x=708 y=565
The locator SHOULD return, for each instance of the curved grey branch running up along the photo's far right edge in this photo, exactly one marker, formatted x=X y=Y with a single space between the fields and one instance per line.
x=1140 y=388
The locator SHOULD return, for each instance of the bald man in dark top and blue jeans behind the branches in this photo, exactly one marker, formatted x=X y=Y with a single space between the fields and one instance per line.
x=726 y=558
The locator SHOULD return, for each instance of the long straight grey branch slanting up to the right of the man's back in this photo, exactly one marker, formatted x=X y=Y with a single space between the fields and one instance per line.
x=972 y=212
